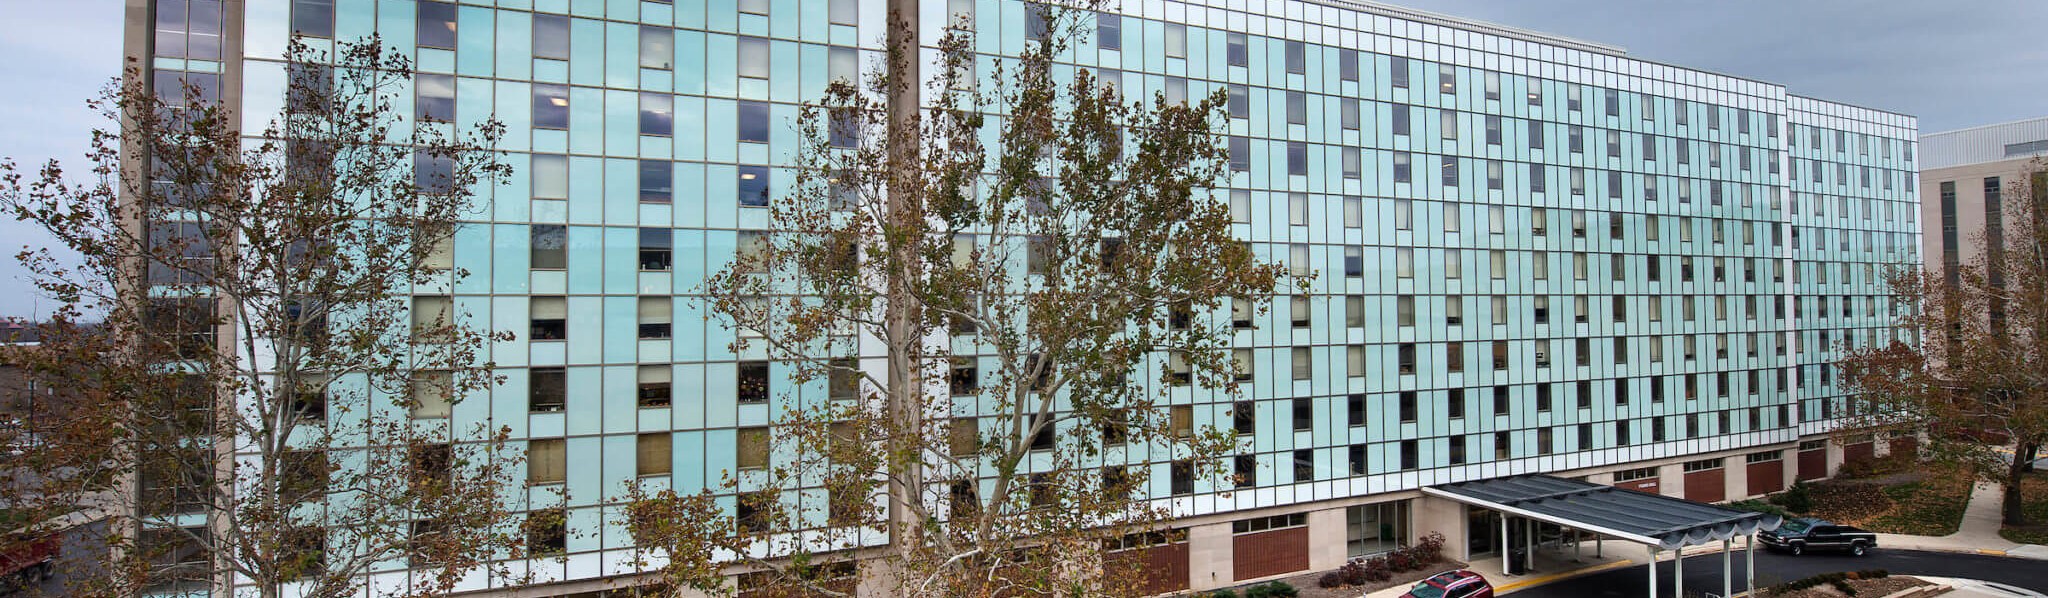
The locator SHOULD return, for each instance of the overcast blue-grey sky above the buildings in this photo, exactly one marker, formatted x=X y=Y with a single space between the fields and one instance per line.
x=1953 y=65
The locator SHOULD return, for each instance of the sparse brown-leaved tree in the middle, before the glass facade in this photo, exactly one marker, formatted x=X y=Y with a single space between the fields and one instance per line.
x=1033 y=304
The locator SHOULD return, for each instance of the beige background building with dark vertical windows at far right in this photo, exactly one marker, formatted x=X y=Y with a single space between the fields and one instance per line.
x=1965 y=177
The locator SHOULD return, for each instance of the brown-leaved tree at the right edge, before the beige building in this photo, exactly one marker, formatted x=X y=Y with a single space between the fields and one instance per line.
x=1979 y=376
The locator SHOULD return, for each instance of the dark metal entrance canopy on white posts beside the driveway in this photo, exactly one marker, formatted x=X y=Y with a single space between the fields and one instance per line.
x=1662 y=523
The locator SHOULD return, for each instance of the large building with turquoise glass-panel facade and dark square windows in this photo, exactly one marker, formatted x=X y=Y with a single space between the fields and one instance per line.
x=1533 y=253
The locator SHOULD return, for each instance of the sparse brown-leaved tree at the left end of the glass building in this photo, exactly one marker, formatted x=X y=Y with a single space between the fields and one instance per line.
x=267 y=398
